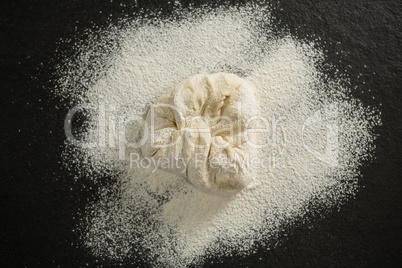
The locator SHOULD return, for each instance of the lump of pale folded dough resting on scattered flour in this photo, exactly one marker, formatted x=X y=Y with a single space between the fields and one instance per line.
x=198 y=130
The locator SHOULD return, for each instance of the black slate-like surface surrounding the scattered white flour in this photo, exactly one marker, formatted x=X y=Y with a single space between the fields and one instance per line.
x=36 y=198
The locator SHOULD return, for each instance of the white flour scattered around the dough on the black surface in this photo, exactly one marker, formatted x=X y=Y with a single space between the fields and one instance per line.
x=317 y=137
